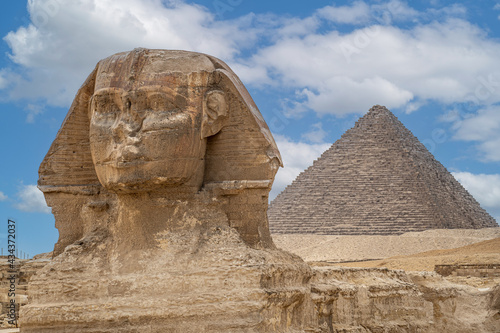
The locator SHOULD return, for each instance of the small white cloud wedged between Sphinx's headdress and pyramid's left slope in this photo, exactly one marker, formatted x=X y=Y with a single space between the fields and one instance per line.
x=297 y=156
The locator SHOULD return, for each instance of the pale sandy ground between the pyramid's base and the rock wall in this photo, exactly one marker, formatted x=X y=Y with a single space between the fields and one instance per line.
x=410 y=252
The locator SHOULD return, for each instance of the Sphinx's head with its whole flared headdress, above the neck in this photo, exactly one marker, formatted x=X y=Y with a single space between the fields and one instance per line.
x=175 y=123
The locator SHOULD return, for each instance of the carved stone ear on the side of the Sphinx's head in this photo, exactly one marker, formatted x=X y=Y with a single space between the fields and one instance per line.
x=214 y=113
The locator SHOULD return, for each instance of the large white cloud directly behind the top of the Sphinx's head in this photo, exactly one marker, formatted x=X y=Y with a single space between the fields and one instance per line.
x=67 y=38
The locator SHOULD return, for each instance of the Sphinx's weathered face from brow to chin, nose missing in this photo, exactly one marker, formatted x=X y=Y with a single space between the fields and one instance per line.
x=147 y=137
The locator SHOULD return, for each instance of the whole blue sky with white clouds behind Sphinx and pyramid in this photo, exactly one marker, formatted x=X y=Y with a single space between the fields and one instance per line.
x=313 y=69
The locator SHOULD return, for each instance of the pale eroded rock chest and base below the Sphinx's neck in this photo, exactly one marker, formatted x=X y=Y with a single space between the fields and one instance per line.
x=199 y=282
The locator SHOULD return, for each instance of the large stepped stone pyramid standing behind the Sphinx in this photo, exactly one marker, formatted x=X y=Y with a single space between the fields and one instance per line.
x=377 y=179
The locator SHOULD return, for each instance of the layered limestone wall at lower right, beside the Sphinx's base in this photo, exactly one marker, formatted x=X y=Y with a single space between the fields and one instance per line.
x=366 y=300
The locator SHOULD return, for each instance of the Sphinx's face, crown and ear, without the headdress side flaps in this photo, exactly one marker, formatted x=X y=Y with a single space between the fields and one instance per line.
x=150 y=115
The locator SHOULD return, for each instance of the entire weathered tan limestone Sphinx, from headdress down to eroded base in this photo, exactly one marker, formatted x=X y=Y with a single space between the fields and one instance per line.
x=159 y=180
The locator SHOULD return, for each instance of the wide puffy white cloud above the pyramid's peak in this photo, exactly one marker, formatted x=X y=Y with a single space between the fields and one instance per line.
x=347 y=73
